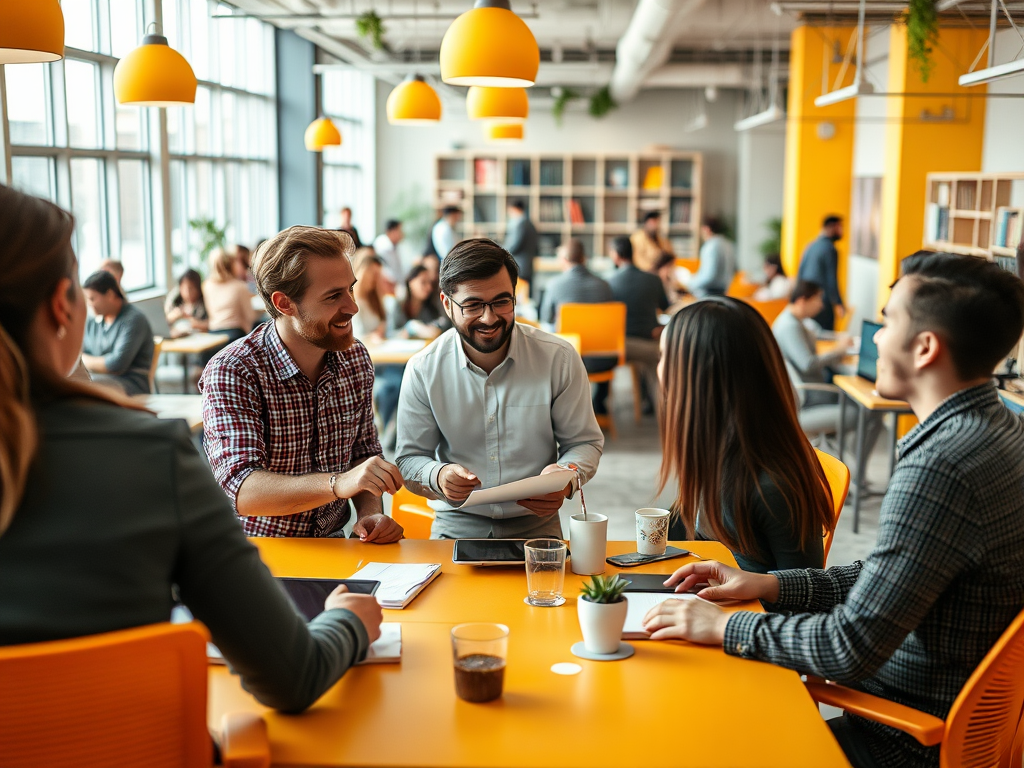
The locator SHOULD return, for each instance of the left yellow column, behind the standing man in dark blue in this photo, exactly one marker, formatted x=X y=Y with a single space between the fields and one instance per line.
x=819 y=142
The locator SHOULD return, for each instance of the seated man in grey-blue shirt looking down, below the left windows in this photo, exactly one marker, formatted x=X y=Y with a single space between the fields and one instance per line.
x=118 y=348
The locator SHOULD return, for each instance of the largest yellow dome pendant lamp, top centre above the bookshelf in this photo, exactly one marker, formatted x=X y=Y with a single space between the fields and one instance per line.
x=490 y=46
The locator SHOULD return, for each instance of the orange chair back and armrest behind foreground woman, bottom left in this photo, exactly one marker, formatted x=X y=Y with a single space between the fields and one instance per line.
x=134 y=697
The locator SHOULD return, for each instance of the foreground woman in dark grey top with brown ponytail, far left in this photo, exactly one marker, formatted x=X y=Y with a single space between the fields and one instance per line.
x=77 y=560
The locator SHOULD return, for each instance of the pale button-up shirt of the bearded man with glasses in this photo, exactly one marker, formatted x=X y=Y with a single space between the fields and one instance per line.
x=533 y=410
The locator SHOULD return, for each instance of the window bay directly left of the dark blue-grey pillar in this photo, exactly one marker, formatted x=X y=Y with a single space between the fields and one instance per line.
x=223 y=152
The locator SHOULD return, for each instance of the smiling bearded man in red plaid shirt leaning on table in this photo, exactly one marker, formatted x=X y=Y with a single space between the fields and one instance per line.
x=288 y=414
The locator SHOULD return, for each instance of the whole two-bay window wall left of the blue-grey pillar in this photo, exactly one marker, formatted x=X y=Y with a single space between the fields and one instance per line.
x=71 y=143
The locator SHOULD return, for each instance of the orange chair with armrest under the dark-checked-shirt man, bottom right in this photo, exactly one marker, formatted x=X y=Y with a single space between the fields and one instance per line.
x=985 y=727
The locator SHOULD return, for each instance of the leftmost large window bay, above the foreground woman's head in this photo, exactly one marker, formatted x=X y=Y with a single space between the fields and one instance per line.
x=72 y=144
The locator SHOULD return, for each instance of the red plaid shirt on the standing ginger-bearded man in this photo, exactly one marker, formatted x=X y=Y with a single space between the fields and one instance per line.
x=262 y=413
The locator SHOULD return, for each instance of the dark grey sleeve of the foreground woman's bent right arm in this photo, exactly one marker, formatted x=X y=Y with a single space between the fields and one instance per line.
x=284 y=662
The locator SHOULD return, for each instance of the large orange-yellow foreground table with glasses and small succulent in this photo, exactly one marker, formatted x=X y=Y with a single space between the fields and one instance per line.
x=670 y=705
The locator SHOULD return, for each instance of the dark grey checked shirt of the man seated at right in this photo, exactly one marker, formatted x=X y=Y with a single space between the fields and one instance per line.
x=945 y=580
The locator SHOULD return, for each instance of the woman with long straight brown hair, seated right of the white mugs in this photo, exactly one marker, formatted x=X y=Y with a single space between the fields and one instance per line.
x=748 y=478
